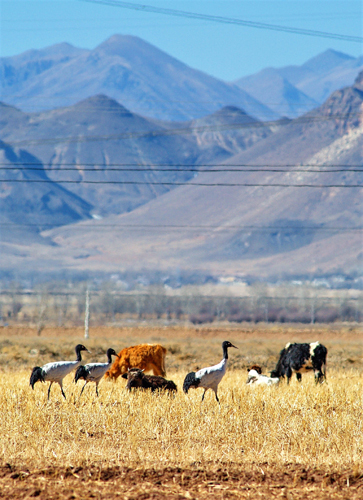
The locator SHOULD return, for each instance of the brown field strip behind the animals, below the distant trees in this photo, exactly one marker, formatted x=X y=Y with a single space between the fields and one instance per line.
x=188 y=347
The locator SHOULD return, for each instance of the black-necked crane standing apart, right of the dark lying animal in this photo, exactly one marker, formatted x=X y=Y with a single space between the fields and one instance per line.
x=209 y=378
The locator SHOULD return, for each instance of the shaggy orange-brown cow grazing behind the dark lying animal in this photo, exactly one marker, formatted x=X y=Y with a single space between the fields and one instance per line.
x=144 y=356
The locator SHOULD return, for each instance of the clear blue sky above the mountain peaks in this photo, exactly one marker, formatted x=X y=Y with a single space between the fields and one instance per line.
x=225 y=51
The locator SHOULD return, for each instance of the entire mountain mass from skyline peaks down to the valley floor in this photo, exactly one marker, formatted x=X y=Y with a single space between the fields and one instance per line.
x=97 y=185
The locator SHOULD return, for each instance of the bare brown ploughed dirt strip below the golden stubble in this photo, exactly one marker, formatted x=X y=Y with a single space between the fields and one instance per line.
x=293 y=482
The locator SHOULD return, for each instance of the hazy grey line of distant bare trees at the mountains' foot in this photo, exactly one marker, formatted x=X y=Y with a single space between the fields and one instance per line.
x=46 y=305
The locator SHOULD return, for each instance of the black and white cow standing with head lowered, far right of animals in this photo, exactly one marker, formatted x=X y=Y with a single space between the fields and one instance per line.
x=301 y=358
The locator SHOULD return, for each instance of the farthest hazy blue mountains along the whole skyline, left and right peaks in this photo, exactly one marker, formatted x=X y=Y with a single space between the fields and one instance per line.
x=149 y=82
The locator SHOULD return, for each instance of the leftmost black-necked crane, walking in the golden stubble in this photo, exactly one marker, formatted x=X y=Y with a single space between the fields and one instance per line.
x=55 y=372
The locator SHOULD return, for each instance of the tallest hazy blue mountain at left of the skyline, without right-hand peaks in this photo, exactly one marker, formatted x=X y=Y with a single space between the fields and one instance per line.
x=143 y=78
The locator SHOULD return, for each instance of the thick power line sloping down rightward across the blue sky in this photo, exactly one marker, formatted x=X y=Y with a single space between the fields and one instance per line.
x=226 y=20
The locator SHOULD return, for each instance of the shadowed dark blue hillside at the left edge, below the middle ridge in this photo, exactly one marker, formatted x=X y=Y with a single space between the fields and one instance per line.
x=30 y=202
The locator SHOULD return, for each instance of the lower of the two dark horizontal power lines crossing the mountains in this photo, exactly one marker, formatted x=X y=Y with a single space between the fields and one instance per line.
x=191 y=183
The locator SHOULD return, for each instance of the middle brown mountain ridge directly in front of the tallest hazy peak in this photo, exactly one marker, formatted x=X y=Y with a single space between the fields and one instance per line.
x=91 y=144
